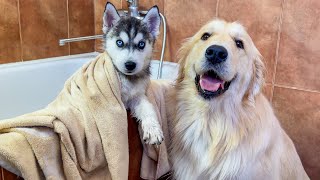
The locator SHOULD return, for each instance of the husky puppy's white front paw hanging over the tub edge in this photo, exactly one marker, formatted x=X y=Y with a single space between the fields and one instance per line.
x=152 y=133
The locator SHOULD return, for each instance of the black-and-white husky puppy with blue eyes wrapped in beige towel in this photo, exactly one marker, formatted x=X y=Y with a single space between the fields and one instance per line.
x=129 y=43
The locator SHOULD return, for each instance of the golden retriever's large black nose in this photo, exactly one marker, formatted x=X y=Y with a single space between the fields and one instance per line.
x=216 y=54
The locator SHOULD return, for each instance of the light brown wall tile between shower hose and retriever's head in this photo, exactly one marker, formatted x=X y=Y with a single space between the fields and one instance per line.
x=184 y=19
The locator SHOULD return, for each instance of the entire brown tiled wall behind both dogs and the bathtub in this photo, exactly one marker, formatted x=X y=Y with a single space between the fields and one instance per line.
x=285 y=31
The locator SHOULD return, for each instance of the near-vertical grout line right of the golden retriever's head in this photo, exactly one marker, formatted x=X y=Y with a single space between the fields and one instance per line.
x=277 y=49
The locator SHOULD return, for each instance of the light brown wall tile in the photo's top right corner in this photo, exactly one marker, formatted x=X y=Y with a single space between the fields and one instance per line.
x=299 y=54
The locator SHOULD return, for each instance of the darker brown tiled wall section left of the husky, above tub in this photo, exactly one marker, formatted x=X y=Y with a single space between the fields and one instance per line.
x=31 y=29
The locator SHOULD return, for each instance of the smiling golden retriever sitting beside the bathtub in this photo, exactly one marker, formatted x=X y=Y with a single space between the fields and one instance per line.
x=224 y=127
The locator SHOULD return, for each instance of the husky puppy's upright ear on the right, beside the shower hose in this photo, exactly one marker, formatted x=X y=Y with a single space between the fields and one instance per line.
x=152 y=19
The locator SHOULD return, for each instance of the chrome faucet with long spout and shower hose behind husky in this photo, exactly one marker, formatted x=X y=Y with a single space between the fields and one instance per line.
x=133 y=12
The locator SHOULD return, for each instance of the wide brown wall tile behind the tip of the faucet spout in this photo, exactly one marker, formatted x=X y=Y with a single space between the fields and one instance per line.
x=42 y=25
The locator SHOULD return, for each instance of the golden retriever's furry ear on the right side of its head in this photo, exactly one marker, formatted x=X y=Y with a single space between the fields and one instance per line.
x=257 y=77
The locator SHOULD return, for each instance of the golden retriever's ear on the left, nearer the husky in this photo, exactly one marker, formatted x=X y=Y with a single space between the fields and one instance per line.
x=182 y=56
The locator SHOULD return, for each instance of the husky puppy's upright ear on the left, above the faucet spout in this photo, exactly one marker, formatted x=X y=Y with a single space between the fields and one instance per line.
x=110 y=17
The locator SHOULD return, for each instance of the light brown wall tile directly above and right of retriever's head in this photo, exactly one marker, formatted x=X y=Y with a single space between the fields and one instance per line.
x=261 y=18
